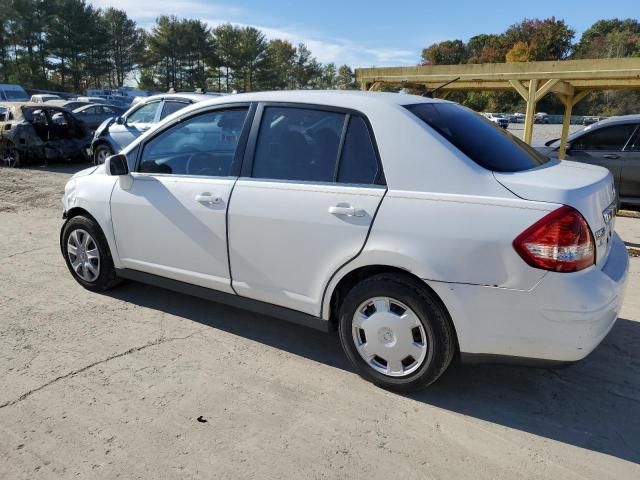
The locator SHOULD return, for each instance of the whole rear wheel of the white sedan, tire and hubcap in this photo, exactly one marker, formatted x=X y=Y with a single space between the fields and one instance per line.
x=396 y=333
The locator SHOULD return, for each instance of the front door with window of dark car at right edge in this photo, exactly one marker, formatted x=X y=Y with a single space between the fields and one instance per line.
x=602 y=146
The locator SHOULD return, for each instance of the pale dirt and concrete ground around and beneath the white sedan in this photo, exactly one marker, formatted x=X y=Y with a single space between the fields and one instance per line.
x=144 y=383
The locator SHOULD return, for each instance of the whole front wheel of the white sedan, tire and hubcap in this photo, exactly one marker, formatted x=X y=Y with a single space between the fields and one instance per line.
x=87 y=254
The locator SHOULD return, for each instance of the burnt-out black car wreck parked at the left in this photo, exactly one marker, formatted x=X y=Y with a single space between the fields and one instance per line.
x=38 y=131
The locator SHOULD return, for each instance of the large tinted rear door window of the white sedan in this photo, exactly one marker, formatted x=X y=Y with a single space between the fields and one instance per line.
x=298 y=144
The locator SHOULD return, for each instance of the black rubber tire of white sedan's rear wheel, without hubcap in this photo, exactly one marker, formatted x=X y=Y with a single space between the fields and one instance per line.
x=432 y=314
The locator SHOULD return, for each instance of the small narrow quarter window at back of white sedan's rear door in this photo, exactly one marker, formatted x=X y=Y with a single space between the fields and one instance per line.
x=359 y=163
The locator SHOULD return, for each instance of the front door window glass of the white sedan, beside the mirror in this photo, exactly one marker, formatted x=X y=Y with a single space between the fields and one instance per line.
x=203 y=145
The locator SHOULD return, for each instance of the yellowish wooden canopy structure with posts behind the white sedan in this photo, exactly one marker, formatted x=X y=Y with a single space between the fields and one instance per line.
x=569 y=80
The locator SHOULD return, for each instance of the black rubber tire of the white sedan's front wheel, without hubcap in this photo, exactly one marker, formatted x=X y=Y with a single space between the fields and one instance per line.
x=106 y=277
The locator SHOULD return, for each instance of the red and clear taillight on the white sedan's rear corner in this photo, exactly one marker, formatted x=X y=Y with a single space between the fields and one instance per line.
x=561 y=241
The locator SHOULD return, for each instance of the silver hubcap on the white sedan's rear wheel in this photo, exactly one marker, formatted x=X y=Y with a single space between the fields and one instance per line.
x=389 y=336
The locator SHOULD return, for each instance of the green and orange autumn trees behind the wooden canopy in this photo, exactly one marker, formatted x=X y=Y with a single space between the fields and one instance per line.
x=546 y=39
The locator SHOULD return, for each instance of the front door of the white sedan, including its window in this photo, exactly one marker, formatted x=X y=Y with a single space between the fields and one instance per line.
x=170 y=220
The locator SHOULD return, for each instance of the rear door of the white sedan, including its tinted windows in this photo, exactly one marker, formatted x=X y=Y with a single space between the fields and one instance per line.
x=310 y=187
